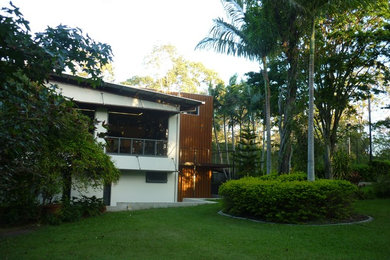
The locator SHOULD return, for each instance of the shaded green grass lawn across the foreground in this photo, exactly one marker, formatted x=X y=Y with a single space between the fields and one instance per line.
x=200 y=233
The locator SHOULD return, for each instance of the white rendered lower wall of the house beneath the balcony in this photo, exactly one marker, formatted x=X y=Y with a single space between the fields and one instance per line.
x=132 y=187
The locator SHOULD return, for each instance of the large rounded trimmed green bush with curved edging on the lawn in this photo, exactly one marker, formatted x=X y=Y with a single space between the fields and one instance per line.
x=289 y=201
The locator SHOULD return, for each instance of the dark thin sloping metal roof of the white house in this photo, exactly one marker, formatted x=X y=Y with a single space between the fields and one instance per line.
x=185 y=104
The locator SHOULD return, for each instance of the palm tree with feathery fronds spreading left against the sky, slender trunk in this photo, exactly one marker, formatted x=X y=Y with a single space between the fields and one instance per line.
x=245 y=36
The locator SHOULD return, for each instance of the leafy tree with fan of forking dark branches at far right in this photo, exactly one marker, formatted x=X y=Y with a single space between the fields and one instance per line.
x=350 y=59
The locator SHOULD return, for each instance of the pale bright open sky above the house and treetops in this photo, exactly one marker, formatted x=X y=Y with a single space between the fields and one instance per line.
x=133 y=28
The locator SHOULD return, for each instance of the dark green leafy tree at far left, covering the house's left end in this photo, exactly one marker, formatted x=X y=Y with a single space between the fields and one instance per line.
x=43 y=139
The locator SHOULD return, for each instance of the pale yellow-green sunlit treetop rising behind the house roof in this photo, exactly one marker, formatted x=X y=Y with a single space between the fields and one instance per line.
x=173 y=73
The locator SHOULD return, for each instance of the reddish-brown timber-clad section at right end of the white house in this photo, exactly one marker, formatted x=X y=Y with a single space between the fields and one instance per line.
x=195 y=150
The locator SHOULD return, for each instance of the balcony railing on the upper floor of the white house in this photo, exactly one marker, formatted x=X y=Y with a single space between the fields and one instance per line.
x=136 y=146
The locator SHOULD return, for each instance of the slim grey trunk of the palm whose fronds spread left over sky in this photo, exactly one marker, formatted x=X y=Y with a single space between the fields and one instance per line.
x=267 y=112
